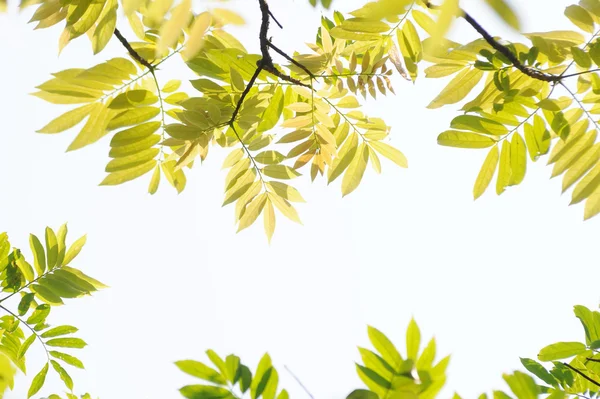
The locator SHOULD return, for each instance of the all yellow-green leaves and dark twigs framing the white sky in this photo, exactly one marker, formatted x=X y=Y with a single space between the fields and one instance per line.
x=277 y=121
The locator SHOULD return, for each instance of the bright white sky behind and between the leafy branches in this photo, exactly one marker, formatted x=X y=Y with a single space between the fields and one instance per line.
x=493 y=280
